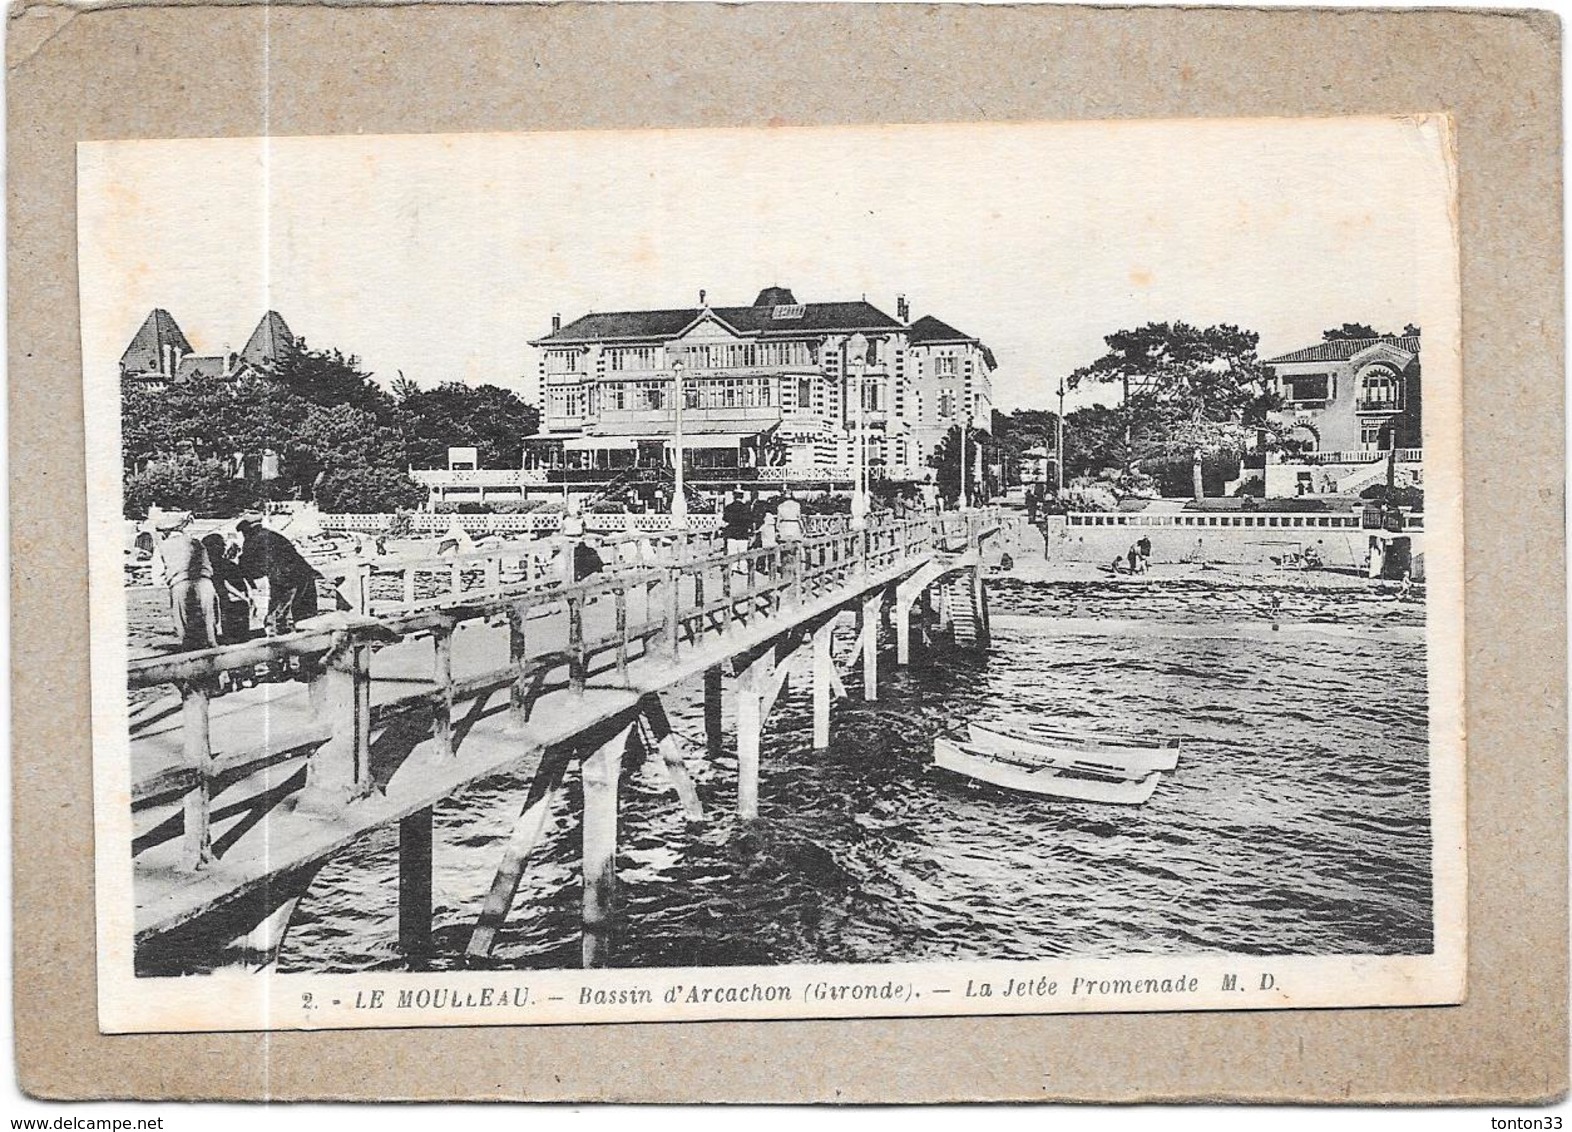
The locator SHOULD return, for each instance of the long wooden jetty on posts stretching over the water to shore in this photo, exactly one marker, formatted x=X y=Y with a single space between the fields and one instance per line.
x=241 y=796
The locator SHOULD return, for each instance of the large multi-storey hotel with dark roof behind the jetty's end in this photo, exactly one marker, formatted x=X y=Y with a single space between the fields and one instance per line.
x=769 y=394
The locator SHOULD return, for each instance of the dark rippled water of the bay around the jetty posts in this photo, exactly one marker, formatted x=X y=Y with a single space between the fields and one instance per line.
x=1298 y=820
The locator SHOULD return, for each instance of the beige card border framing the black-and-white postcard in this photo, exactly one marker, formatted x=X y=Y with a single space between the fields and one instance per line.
x=447 y=68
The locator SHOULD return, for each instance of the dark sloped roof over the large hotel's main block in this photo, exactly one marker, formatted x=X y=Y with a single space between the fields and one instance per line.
x=754 y=322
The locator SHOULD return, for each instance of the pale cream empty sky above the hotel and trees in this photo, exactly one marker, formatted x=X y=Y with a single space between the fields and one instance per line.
x=439 y=257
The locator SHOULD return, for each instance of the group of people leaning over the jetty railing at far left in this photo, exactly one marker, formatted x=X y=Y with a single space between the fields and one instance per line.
x=216 y=587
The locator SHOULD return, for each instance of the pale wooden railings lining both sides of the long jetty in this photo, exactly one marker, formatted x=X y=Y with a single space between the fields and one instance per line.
x=562 y=636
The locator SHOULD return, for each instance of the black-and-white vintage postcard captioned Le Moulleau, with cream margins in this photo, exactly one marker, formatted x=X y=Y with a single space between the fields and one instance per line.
x=776 y=573
